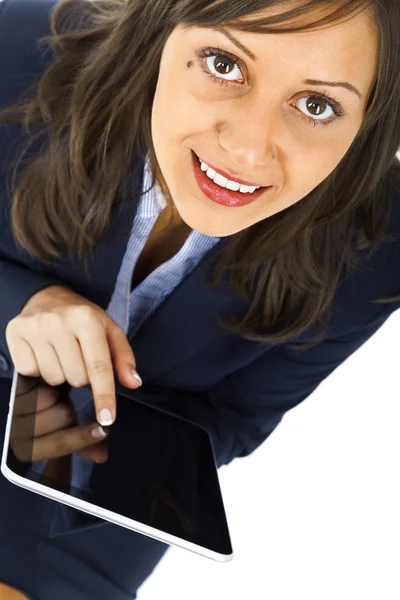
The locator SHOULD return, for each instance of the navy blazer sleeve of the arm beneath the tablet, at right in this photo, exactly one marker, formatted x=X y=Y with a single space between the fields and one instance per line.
x=244 y=408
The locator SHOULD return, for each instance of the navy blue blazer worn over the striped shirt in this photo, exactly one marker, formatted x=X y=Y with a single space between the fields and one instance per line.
x=239 y=390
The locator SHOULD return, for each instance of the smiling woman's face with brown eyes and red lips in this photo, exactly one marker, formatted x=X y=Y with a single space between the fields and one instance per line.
x=257 y=120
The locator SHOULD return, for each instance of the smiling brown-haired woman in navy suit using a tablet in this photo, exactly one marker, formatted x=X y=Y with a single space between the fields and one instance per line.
x=148 y=118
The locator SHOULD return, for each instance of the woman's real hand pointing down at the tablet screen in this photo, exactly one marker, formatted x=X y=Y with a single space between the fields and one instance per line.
x=61 y=336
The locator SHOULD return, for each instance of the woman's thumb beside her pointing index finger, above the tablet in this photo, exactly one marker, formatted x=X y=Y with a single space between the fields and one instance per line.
x=122 y=356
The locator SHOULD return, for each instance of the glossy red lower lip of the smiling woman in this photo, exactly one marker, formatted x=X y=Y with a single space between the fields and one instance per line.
x=221 y=195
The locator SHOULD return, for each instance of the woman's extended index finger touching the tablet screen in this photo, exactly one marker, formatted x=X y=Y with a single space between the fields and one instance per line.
x=97 y=357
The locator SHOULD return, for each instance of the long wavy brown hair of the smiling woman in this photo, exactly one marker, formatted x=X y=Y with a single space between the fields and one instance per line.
x=95 y=99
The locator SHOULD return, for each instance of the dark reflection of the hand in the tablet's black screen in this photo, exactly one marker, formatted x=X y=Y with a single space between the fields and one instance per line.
x=44 y=413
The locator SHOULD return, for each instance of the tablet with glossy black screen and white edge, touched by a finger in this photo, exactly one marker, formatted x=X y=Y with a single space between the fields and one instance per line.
x=160 y=478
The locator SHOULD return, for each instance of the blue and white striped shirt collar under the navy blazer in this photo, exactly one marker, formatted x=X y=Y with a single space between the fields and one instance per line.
x=131 y=308
